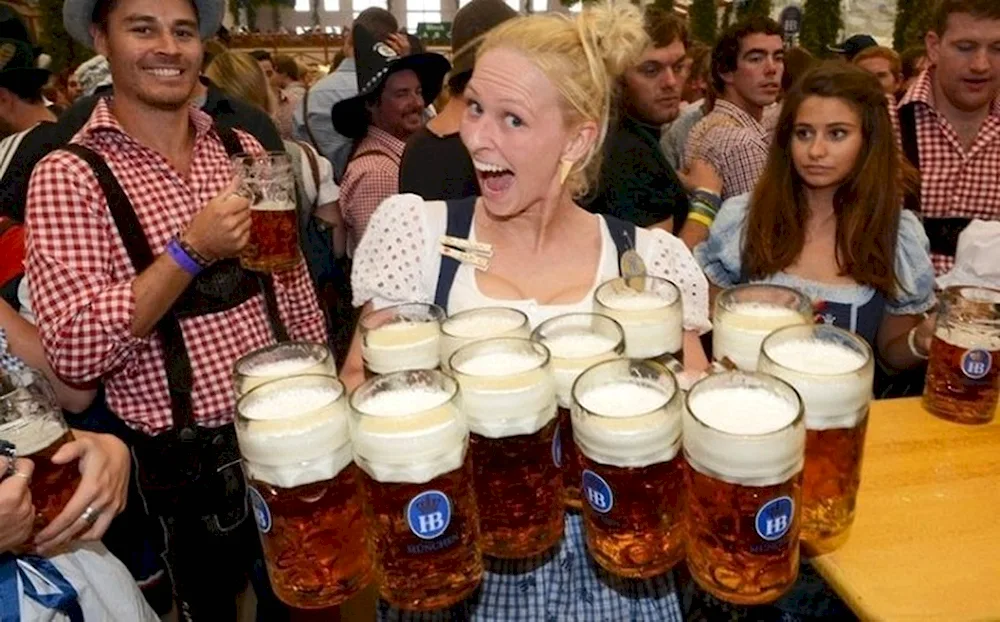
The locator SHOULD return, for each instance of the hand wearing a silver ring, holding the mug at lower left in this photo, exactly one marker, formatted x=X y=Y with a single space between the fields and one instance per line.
x=104 y=468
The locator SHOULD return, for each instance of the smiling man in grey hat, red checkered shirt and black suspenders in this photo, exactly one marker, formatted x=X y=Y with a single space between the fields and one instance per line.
x=134 y=236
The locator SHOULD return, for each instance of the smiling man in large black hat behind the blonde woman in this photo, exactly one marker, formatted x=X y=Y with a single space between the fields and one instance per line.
x=393 y=93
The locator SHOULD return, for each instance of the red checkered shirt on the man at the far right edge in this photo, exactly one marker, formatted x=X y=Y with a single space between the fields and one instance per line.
x=954 y=182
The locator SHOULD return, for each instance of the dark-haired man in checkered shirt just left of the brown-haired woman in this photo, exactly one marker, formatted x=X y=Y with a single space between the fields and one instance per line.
x=734 y=138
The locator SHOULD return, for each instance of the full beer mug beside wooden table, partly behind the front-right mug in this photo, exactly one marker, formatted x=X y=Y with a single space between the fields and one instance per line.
x=833 y=371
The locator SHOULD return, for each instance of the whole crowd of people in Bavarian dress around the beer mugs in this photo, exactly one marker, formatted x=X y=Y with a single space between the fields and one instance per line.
x=551 y=138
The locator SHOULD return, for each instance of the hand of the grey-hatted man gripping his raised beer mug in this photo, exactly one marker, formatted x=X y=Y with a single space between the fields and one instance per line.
x=222 y=228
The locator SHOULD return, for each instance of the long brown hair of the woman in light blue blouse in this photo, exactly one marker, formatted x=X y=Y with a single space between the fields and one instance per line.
x=867 y=204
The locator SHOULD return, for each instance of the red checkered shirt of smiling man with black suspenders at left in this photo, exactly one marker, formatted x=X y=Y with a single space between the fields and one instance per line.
x=81 y=276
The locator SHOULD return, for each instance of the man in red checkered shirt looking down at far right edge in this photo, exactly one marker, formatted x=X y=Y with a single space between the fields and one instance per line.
x=950 y=124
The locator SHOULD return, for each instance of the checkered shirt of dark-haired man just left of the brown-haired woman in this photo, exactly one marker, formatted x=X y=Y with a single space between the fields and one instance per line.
x=733 y=142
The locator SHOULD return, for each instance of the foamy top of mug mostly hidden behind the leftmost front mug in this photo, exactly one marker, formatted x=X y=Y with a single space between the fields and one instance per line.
x=281 y=360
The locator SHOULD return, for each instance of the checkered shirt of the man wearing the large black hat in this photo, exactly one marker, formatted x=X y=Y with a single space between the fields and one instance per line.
x=372 y=176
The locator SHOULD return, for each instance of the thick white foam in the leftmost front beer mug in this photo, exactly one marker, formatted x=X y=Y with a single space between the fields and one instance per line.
x=294 y=436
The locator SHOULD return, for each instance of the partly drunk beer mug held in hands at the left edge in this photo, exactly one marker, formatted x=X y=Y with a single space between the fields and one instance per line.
x=31 y=420
